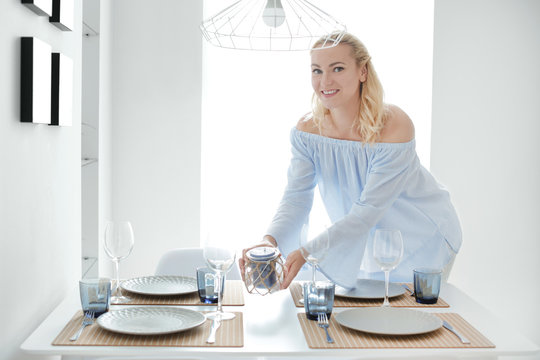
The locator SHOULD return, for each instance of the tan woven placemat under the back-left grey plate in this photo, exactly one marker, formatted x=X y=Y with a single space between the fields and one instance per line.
x=233 y=295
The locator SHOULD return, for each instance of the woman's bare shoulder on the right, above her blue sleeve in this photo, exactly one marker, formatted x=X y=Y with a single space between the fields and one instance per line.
x=398 y=126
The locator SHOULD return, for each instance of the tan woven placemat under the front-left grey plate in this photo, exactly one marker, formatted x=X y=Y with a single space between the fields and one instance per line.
x=230 y=334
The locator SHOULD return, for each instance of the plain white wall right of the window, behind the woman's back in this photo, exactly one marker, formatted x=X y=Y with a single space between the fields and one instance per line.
x=485 y=148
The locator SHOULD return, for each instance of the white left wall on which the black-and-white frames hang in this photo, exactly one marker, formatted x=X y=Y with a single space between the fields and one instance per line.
x=40 y=194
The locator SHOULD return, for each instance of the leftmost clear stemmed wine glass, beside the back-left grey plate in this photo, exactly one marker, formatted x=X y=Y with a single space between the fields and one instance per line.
x=118 y=244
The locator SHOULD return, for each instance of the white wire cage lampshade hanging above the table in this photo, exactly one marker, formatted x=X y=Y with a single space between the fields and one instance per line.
x=272 y=25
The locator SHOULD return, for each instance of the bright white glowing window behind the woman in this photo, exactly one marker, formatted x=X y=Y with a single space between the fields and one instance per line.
x=251 y=100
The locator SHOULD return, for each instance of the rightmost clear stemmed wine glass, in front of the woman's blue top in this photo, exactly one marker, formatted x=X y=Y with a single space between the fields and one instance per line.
x=387 y=251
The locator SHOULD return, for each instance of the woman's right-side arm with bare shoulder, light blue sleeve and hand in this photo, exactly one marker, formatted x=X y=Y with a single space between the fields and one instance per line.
x=389 y=168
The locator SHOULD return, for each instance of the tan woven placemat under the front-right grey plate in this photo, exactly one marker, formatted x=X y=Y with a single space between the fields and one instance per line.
x=345 y=338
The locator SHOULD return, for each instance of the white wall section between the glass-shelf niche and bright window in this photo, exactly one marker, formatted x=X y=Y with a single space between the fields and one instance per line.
x=156 y=110
